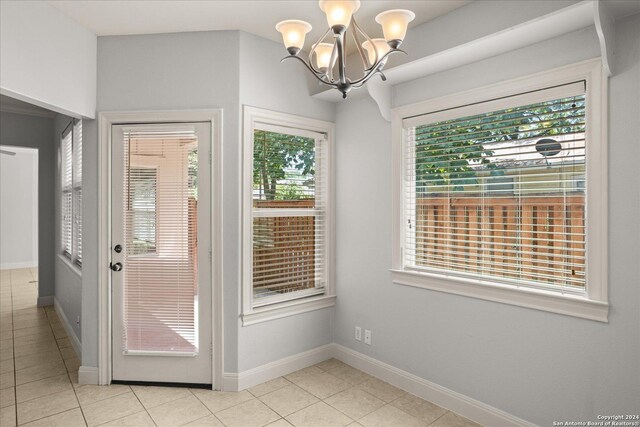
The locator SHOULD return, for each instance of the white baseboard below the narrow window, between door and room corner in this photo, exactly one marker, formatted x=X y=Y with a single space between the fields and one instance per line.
x=269 y=371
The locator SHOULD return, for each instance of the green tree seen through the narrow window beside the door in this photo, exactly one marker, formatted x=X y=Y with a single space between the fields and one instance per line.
x=273 y=154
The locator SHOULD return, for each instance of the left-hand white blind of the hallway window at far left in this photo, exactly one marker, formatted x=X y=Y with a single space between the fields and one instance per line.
x=66 y=226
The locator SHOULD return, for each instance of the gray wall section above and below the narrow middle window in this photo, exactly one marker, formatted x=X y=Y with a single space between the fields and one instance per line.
x=266 y=83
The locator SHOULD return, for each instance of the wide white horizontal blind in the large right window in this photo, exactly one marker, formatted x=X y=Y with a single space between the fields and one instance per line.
x=495 y=191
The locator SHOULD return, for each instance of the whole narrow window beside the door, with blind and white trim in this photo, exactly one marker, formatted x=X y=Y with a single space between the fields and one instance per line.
x=287 y=214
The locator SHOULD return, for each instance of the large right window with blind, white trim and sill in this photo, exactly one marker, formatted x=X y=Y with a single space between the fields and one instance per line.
x=493 y=198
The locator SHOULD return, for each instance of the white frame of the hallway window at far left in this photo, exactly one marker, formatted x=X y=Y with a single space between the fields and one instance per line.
x=74 y=190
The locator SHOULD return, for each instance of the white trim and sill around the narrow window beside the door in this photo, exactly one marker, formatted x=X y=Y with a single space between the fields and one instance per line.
x=253 y=116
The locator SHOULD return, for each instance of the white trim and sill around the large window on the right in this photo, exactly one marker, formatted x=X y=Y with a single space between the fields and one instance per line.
x=594 y=305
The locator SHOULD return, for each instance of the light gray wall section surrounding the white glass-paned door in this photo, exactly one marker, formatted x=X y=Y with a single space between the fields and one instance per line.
x=165 y=72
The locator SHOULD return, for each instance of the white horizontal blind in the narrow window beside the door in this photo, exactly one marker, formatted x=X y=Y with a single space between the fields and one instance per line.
x=289 y=214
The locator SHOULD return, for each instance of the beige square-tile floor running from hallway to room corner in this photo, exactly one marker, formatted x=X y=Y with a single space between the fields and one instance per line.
x=39 y=386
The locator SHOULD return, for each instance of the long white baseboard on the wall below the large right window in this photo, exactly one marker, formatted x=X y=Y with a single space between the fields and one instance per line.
x=442 y=396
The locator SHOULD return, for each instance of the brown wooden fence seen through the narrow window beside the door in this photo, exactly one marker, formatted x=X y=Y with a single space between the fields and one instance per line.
x=284 y=251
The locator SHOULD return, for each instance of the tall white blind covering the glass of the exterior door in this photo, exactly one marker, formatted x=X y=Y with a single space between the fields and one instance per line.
x=160 y=240
